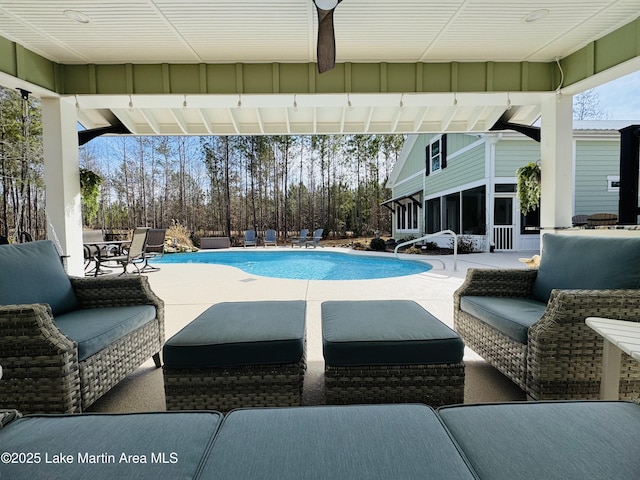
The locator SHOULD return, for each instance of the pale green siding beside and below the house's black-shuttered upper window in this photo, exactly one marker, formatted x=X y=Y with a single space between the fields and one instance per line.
x=461 y=169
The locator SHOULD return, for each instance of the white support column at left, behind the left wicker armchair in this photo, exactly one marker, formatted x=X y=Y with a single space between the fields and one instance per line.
x=62 y=180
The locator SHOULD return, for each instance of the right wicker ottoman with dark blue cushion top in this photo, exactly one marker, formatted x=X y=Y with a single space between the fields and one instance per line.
x=389 y=352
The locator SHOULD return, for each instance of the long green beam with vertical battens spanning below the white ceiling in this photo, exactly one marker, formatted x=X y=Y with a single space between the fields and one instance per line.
x=265 y=78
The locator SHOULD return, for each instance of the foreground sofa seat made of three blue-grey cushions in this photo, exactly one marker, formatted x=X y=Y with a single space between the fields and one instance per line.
x=523 y=440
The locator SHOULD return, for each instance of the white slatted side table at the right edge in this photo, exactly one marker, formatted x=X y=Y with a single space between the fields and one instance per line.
x=619 y=336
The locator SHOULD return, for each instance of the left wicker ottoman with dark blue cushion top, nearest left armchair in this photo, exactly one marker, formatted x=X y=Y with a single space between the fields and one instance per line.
x=237 y=354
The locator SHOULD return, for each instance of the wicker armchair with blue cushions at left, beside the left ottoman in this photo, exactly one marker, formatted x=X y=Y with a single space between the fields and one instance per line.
x=65 y=341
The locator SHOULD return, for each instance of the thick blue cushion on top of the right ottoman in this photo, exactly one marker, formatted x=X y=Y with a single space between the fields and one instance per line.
x=386 y=332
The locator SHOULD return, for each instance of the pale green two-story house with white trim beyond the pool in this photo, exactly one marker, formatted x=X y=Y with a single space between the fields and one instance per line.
x=467 y=183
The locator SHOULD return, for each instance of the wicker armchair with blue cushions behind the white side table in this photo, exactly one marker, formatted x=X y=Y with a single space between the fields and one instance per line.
x=530 y=323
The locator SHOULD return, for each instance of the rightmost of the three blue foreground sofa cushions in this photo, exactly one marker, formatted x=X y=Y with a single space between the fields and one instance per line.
x=563 y=440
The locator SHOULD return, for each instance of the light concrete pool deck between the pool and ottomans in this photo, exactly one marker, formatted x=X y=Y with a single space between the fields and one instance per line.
x=189 y=289
